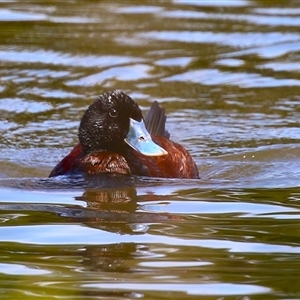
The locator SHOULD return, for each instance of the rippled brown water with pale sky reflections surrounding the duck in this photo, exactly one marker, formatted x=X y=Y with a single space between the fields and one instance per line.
x=227 y=73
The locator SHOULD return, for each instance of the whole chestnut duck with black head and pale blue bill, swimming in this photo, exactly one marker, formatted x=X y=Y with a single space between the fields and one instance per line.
x=115 y=138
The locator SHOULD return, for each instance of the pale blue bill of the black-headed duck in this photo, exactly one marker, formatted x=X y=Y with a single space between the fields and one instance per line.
x=140 y=140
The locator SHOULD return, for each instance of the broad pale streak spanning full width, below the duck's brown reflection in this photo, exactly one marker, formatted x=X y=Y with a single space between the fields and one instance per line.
x=77 y=235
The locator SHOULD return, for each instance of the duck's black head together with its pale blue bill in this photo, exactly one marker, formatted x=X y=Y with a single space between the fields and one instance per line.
x=114 y=121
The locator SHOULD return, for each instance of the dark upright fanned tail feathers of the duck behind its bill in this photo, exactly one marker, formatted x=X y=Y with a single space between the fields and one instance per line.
x=155 y=121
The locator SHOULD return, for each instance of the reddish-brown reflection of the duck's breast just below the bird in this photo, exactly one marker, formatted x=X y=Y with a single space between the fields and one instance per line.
x=117 y=209
